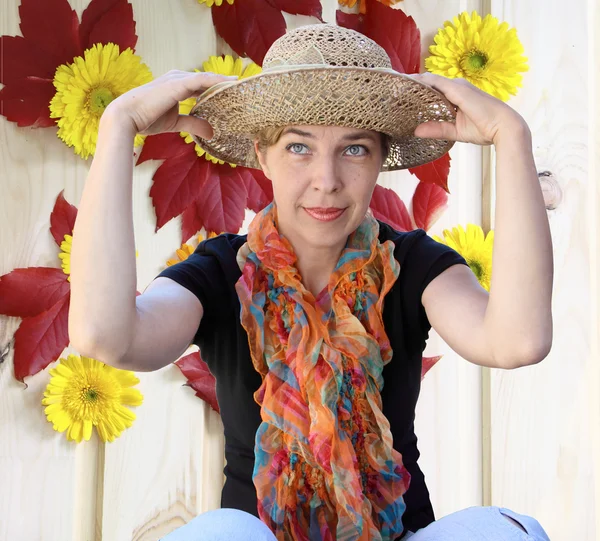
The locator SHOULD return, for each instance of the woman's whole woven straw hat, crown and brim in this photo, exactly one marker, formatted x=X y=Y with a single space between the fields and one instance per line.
x=326 y=75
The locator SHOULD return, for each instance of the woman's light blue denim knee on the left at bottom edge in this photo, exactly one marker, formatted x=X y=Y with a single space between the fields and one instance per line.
x=223 y=524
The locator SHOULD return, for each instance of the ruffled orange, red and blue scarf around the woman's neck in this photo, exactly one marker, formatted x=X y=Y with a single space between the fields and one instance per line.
x=325 y=468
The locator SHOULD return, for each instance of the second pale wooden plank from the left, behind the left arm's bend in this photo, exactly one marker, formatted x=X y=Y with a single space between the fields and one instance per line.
x=168 y=467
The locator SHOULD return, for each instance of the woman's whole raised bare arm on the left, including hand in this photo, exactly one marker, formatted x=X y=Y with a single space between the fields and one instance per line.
x=106 y=320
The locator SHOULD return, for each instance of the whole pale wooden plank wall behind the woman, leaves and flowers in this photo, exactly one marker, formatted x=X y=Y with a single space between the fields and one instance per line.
x=527 y=439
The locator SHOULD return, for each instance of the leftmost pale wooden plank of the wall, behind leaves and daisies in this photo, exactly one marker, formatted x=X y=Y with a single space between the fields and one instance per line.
x=37 y=465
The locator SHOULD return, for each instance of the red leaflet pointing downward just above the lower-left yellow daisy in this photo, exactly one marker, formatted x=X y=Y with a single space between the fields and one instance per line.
x=41 y=339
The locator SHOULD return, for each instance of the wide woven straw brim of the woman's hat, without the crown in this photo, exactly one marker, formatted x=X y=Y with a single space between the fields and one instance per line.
x=375 y=99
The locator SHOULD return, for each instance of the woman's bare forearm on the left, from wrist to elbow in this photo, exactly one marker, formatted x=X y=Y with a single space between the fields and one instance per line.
x=103 y=271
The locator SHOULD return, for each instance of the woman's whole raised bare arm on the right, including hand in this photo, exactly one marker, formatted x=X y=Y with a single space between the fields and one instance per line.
x=512 y=326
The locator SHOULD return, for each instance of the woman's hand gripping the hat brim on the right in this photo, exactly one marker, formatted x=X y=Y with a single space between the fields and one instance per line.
x=481 y=118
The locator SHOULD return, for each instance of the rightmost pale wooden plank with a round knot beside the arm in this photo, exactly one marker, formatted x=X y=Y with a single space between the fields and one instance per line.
x=542 y=430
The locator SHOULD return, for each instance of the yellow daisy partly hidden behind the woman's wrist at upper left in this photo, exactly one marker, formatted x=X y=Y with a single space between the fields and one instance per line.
x=87 y=86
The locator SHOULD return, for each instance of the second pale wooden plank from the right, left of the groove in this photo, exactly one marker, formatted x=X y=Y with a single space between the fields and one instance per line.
x=448 y=417
